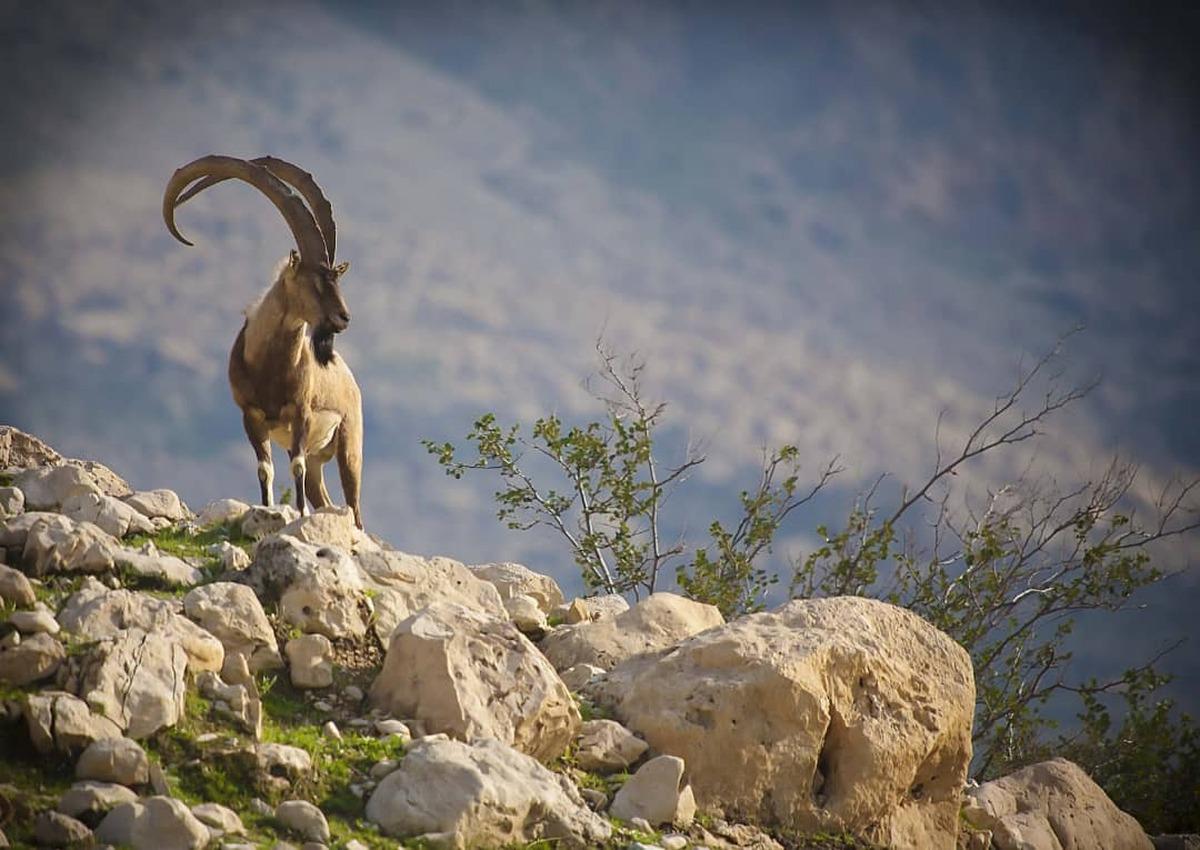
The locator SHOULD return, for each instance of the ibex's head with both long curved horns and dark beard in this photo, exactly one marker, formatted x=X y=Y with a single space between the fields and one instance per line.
x=310 y=278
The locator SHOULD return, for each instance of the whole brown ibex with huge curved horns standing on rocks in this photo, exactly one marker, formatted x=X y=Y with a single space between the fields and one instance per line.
x=291 y=385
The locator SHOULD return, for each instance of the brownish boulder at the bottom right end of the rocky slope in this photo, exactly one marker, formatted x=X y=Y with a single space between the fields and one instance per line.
x=1052 y=806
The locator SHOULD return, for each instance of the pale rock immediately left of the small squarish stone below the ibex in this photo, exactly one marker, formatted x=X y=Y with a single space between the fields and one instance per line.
x=232 y=613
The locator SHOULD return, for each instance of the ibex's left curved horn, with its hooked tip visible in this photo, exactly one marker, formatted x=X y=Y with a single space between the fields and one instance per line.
x=299 y=218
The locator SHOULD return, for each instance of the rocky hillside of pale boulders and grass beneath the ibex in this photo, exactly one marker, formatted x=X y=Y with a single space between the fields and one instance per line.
x=244 y=678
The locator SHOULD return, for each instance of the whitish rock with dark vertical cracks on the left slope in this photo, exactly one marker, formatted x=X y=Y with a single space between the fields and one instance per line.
x=137 y=679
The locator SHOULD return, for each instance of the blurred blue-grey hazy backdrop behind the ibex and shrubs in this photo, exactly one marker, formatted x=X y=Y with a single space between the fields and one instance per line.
x=821 y=224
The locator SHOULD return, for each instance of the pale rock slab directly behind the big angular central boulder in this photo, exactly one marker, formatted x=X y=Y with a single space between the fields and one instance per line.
x=405 y=584
